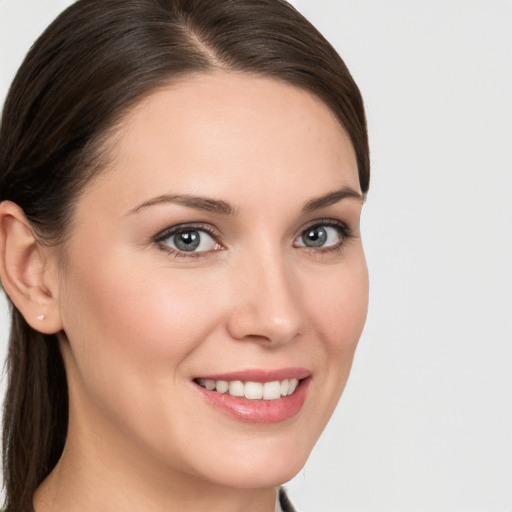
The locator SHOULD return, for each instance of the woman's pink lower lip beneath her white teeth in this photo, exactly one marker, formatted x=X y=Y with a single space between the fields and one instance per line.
x=258 y=411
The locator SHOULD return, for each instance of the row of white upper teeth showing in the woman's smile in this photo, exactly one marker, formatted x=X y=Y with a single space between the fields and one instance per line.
x=252 y=390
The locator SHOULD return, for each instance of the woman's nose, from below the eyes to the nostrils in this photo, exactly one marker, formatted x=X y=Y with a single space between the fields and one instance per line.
x=266 y=302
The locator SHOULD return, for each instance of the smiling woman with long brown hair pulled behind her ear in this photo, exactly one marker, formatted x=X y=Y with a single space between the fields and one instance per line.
x=181 y=185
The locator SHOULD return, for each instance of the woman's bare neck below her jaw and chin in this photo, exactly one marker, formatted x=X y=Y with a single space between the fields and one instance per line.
x=108 y=475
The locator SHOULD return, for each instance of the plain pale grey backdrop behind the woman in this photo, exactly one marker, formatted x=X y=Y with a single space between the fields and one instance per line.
x=425 y=424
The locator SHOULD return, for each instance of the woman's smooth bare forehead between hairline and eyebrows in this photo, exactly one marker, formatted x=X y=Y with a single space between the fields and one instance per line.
x=226 y=133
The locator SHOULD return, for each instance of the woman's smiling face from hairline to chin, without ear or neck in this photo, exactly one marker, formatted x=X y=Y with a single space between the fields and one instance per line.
x=220 y=247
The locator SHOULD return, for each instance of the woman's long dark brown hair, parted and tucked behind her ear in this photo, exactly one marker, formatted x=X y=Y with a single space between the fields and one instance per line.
x=93 y=63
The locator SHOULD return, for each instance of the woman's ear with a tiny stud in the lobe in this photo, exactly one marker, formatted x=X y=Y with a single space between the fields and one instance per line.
x=28 y=276
